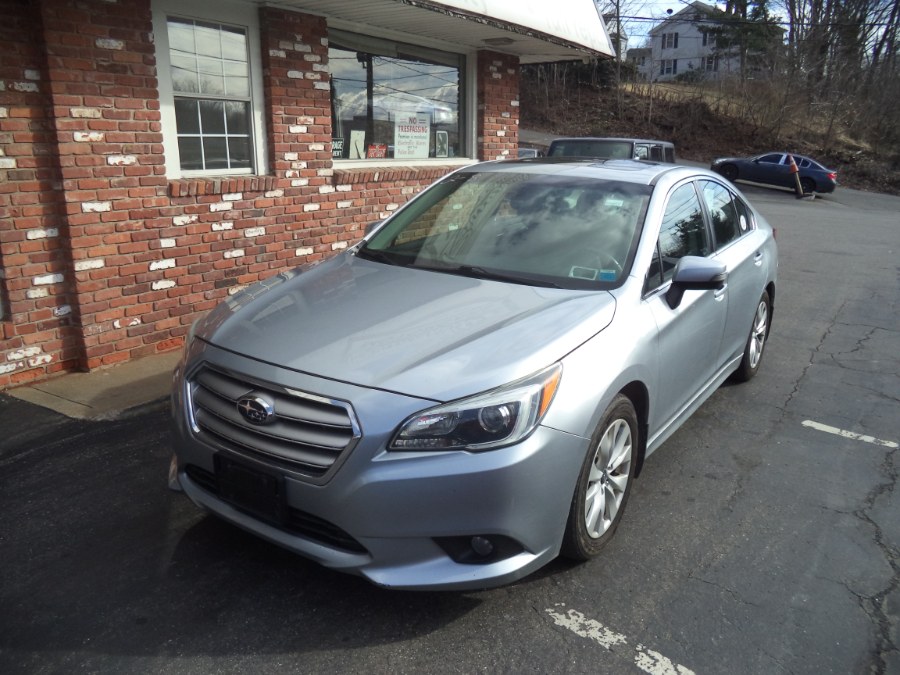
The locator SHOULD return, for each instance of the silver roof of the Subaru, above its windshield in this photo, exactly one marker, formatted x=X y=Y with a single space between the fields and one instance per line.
x=626 y=170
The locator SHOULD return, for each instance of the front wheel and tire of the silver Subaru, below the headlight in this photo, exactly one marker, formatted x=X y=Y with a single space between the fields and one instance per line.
x=604 y=482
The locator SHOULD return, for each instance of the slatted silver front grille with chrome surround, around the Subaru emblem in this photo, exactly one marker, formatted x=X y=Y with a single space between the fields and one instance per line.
x=306 y=434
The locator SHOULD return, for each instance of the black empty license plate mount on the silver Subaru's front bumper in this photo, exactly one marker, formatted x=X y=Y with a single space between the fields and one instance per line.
x=249 y=489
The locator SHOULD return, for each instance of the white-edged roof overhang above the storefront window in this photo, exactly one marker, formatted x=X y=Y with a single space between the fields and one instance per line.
x=536 y=31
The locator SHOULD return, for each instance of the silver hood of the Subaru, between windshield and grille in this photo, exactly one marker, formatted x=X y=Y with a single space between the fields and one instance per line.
x=416 y=332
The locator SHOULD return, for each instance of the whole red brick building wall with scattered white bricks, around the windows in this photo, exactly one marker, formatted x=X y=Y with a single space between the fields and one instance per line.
x=104 y=259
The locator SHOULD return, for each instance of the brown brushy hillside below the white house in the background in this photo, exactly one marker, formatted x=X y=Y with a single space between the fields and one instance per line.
x=701 y=126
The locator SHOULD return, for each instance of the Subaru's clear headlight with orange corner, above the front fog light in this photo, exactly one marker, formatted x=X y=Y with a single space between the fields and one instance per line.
x=499 y=417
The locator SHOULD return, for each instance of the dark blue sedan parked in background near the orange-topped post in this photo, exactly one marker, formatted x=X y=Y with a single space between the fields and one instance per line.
x=774 y=168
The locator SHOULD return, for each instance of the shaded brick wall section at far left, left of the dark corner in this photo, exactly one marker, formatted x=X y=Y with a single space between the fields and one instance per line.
x=36 y=291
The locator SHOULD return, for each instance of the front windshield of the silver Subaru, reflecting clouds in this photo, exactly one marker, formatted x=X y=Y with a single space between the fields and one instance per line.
x=519 y=227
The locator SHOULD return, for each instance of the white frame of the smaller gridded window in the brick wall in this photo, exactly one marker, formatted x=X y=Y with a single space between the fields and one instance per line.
x=223 y=12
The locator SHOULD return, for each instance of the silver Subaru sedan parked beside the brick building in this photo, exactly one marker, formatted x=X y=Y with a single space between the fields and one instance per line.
x=472 y=389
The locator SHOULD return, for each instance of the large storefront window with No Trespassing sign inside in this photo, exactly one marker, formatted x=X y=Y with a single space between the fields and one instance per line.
x=394 y=101
